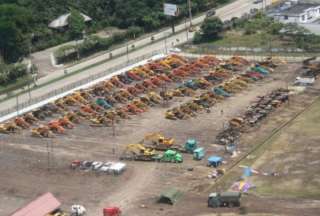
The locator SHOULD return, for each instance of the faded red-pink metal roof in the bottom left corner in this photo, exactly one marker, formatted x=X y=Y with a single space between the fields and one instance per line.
x=41 y=206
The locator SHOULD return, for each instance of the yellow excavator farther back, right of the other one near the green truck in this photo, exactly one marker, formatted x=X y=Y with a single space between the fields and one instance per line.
x=159 y=142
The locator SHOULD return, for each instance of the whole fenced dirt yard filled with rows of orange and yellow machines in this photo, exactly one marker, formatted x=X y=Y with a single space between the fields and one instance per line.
x=172 y=103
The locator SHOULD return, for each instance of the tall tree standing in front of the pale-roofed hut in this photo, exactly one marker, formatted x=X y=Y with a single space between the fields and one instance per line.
x=76 y=24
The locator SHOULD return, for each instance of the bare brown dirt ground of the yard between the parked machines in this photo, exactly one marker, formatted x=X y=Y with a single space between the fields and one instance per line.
x=30 y=167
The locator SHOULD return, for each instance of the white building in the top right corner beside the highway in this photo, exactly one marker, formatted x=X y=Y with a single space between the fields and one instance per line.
x=301 y=13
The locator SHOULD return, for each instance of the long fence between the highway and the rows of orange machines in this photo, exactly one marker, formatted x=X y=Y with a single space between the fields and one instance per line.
x=76 y=84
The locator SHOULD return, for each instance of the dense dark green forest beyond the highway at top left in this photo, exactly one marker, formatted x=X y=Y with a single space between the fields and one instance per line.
x=24 y=22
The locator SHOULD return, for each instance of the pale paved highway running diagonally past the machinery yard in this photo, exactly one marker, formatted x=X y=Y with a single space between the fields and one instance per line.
x=164 y=39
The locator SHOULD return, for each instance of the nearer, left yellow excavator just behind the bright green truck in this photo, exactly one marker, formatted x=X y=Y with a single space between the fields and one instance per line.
x=138 y=152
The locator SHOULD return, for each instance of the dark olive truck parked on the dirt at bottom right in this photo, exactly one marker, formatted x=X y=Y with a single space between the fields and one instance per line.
x=224 y=199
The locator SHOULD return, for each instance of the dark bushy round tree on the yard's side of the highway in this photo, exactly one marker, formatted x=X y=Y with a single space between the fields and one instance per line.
x=211 y=28
